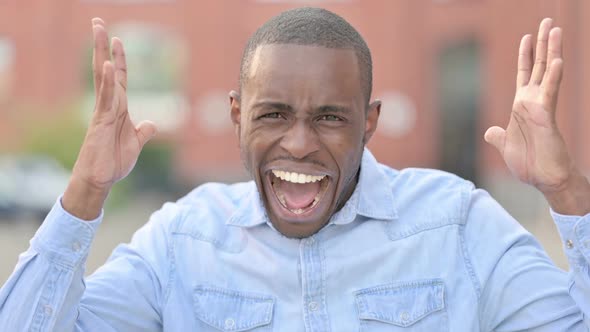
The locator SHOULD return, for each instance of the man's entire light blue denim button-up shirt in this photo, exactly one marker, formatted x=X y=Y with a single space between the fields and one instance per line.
x=412 y=250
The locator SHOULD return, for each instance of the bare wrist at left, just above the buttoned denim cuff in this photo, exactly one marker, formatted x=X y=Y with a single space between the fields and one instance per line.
x=84 y=200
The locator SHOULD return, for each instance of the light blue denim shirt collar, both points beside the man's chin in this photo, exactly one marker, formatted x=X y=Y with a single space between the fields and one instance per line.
x=372 y=198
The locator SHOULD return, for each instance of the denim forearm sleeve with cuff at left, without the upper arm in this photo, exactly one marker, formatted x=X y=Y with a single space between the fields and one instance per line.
x=48 y=273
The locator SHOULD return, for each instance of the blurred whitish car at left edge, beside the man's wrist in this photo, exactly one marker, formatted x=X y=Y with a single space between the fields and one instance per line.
x=30 y=184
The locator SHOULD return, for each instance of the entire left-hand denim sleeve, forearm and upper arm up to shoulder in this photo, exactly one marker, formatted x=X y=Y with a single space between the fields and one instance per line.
x=47 y=290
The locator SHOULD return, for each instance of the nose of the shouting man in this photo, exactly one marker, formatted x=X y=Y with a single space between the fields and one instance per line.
x=300 y=140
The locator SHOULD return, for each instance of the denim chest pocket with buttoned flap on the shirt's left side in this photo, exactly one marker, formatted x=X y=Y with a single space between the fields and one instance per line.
x=229 y=310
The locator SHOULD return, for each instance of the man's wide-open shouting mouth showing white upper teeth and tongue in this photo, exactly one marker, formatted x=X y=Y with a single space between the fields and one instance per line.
x=298 y=193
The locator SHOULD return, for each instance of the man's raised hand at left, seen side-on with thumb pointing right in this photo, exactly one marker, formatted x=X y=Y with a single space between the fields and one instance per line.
x=112 y=143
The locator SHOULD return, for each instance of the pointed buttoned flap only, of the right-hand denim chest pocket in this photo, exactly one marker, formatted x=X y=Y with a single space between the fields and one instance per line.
x=401 y=304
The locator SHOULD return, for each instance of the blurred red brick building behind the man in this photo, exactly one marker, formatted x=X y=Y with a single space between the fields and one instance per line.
x=444 y=68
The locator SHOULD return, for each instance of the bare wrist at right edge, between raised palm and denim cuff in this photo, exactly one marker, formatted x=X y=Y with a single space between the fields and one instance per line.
x=573 y=198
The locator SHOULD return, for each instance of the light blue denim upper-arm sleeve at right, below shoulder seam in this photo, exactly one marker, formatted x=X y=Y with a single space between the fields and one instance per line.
x=518 y=286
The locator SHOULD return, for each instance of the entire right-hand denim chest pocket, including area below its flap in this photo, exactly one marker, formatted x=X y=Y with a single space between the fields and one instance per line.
x=410 y=306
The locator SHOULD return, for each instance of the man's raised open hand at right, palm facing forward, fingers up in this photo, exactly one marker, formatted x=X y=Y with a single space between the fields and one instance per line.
x=532 y=145
